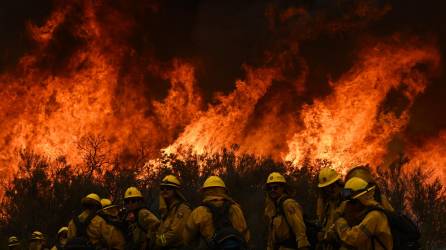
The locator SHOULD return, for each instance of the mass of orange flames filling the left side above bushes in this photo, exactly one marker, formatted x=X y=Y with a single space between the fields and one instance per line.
x=50 y=112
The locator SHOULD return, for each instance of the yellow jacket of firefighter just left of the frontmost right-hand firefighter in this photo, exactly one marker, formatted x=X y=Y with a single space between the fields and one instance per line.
x=328 y=211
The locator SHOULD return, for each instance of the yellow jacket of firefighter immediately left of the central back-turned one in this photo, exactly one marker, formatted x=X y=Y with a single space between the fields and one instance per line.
x=172 y=224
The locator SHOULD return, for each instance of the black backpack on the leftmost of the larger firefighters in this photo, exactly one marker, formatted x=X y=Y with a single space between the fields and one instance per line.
x=81 y=241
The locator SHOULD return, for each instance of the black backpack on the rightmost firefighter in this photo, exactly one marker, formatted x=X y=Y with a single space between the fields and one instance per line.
x=405 y=233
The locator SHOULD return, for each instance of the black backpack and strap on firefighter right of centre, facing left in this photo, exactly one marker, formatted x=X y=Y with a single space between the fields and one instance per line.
x=312 y=228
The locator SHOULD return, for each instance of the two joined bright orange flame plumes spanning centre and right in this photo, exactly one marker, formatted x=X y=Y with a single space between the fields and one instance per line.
x=345 y=128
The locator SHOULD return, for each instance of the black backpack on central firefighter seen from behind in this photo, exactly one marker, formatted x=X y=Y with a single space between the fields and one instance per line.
x=225 y=237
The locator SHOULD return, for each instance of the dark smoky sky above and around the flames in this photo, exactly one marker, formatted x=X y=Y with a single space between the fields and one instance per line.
x=222 y=35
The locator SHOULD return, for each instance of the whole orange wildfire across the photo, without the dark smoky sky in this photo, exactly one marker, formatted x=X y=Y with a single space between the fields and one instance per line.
x=54 y=98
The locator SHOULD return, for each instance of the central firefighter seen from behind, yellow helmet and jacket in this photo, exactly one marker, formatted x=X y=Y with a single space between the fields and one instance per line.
x=200 y=229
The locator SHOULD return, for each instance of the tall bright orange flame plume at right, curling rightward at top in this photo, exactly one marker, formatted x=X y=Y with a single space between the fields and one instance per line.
x=349 y=127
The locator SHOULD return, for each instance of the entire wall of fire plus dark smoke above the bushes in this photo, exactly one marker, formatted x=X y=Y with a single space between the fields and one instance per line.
x=321 y=81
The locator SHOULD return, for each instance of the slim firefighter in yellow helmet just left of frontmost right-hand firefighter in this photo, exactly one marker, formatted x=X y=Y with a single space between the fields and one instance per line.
x=329 y=207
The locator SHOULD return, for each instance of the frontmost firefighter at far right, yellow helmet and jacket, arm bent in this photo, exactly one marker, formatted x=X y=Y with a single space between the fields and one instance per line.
x=373 y=231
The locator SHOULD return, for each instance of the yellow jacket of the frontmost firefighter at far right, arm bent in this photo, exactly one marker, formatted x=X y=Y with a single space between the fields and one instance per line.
x=373 y=228
